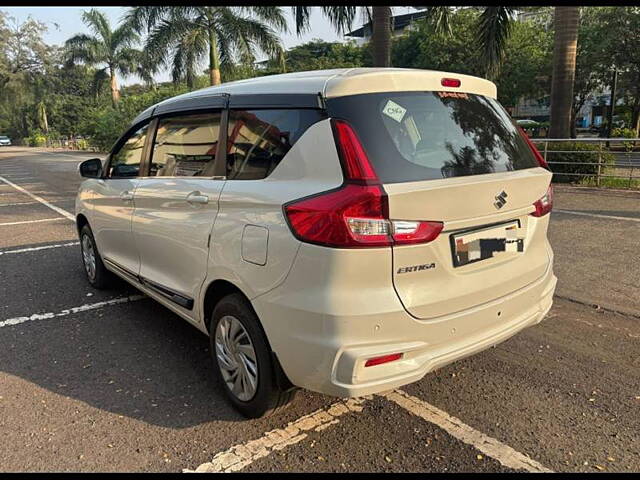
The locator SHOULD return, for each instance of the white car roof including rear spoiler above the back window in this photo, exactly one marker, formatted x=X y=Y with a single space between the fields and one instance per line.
x=307 y=87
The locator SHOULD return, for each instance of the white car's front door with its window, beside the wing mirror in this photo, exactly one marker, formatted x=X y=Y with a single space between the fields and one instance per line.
x=113 y=202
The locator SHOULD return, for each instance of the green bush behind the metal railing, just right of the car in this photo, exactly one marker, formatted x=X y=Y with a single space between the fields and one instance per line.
x=582 y=160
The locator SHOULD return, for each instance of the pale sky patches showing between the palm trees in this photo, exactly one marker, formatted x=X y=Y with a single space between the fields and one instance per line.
x=63 y=22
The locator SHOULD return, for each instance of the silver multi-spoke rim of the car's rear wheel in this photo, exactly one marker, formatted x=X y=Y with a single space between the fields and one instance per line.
x=236 y=358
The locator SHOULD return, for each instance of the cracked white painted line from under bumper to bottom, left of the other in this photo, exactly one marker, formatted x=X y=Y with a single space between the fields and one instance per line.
x=241 y=455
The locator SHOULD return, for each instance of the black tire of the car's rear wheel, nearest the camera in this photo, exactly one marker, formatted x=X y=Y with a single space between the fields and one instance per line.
x=266 y=397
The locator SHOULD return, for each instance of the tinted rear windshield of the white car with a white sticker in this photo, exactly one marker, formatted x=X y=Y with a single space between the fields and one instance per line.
x=412 y=136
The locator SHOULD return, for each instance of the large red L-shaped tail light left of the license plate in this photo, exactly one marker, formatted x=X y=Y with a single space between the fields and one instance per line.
x=355 y=215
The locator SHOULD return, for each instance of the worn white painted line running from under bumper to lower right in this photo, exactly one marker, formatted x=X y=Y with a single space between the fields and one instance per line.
x=491 y=447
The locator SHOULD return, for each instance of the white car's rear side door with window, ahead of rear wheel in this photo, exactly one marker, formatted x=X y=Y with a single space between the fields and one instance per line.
x=176 y=205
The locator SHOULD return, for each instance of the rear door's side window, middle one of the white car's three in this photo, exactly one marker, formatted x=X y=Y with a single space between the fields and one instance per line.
x=185 y=146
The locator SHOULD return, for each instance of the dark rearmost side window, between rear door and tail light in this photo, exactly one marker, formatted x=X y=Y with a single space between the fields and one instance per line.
x=259 y=139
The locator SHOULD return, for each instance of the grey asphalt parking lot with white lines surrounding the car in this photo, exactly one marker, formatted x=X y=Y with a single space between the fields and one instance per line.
x=105 y=381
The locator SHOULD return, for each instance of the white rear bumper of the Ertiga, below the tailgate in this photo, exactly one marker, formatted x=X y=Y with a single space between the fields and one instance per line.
x=326 y=353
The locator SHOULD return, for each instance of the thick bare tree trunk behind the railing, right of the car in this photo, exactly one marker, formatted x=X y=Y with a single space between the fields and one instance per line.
x=566 y=21
